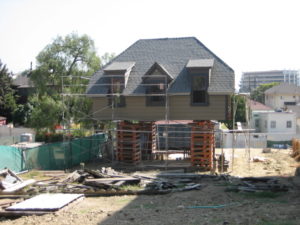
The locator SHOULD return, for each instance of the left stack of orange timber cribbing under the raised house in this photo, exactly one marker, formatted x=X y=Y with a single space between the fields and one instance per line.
x=134 y=141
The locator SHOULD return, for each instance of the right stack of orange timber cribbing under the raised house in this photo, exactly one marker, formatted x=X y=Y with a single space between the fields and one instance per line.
x=202 y=144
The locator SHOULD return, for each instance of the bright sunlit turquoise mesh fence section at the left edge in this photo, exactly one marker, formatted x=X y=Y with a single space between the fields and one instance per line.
x=11 y=157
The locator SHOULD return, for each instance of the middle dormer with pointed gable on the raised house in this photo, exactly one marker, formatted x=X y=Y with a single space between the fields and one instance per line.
x=156 y=81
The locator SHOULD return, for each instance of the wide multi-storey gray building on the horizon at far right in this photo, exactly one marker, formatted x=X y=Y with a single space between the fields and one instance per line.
x=251 y=80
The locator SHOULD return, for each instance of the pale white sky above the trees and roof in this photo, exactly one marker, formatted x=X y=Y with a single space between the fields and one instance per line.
x=249 y=35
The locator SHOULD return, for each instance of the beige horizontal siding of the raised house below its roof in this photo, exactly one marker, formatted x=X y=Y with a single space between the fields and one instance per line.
x=180 y=109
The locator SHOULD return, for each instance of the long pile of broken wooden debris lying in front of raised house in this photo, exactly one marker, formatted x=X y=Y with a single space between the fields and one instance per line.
x=107 y=181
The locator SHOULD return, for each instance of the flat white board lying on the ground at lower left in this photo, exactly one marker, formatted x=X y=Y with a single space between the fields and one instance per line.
x=45 y=202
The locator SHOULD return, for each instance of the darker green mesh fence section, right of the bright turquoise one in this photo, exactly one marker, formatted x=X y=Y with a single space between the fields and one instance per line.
x=63 y=155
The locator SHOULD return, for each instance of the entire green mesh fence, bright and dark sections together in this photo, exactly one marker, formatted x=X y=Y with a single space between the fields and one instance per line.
x=55 y=156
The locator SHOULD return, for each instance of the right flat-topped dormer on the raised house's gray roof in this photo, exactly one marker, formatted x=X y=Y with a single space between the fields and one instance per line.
x=199 y=71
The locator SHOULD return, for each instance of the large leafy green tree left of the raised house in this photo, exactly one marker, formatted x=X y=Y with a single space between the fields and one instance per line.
x=63 y=67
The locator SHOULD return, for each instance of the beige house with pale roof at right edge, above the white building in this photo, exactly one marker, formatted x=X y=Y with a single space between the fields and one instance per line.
x=282 y=95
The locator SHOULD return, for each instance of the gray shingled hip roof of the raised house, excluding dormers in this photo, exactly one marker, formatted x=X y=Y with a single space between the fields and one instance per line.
x=173 y=54
